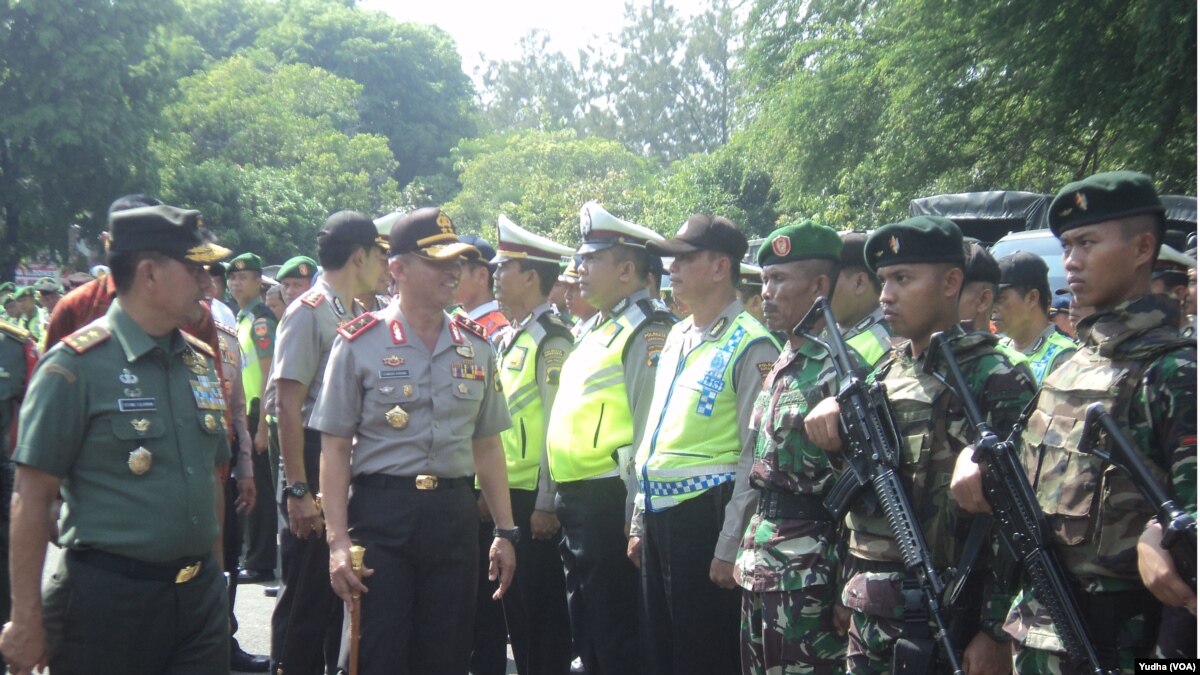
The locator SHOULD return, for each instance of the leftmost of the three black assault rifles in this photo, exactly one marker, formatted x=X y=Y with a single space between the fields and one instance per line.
x=873 y=458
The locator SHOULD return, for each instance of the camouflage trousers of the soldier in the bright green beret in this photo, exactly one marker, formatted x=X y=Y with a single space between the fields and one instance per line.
x=791 y=632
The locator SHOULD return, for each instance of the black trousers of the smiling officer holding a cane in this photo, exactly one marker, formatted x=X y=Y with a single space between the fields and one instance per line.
x=418 y=616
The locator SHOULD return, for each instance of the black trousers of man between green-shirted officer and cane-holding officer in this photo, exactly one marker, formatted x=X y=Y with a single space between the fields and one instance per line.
x=307 y=625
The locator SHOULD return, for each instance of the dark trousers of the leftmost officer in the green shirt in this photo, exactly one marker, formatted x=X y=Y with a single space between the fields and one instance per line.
x=100 y=623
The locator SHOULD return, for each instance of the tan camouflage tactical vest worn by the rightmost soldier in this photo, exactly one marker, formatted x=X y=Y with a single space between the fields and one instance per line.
x=1095 y=513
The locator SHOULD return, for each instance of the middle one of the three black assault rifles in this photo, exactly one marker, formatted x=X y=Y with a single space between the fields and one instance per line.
x=1017 y=515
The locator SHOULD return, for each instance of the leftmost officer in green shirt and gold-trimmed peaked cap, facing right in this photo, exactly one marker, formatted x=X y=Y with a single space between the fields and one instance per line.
x=125 y=419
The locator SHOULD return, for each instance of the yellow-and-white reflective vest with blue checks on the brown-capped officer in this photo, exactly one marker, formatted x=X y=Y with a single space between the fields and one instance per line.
x=695 y=444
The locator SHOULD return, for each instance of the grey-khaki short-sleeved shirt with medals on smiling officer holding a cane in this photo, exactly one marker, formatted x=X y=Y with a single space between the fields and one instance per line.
x=410 y=411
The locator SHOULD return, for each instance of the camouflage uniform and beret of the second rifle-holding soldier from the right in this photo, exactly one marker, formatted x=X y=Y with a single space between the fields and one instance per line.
x=933 y=433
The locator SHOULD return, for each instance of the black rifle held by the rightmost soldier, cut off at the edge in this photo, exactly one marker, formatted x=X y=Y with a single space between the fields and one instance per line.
x=1179 y=528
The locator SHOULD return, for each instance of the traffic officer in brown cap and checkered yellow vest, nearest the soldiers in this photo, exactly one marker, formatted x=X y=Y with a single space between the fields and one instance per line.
x=687 y=528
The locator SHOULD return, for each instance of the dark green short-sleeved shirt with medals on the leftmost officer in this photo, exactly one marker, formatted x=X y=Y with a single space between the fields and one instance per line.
x=135 y=433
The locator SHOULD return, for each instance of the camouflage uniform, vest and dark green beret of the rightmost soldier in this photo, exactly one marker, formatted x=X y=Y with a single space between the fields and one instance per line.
x=1135 y=361
